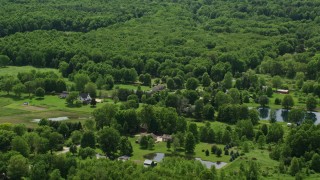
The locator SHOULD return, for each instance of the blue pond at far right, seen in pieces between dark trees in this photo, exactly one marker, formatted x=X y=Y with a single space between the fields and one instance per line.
x=282 y=115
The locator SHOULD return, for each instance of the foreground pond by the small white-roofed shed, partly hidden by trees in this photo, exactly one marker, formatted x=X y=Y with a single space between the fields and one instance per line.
x=159 y=156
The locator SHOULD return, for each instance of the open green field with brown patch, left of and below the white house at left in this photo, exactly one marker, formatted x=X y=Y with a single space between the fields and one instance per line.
x=13 y=110
